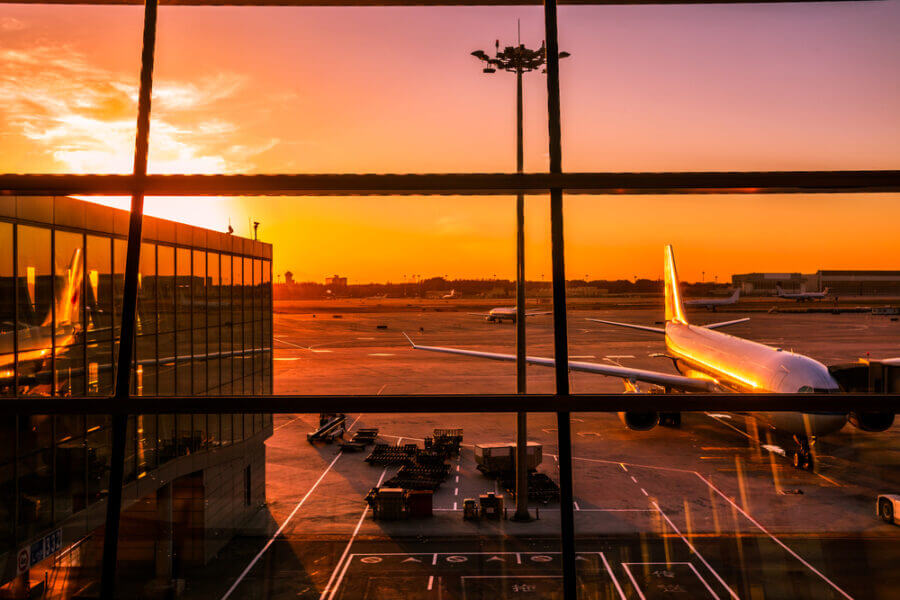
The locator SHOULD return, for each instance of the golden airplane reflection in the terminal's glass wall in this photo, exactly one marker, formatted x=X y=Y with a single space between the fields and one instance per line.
x=36 y=341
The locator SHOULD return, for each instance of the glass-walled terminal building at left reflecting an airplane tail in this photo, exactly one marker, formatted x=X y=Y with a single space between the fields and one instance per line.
x=204 y=327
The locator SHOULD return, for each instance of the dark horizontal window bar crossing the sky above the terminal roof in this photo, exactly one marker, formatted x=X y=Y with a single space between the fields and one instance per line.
x=481 y=184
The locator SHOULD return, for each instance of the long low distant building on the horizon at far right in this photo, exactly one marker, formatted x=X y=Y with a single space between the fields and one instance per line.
x=839 y=283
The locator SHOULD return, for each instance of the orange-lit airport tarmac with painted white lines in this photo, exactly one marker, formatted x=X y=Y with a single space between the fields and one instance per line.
x=711 y=509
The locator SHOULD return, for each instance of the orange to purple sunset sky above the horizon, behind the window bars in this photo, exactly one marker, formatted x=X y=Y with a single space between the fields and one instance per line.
x=279 y=90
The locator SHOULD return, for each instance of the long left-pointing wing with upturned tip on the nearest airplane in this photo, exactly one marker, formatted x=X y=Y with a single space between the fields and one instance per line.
x=677 y=382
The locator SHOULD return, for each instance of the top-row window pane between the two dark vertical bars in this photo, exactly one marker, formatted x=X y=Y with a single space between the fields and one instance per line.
x=242 y=109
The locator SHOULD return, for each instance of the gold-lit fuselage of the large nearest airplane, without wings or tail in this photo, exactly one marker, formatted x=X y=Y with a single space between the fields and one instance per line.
x=741 y=365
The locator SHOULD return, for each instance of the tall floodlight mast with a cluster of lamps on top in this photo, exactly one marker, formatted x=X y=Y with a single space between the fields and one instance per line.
x=518 y=59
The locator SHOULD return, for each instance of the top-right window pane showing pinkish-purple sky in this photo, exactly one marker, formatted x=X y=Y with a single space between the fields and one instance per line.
x=733 y=88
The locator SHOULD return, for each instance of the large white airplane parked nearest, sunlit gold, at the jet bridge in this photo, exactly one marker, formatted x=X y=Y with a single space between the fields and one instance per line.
x=711 y=361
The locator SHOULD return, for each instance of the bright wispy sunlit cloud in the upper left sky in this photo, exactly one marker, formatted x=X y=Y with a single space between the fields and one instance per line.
x=83 y=115
